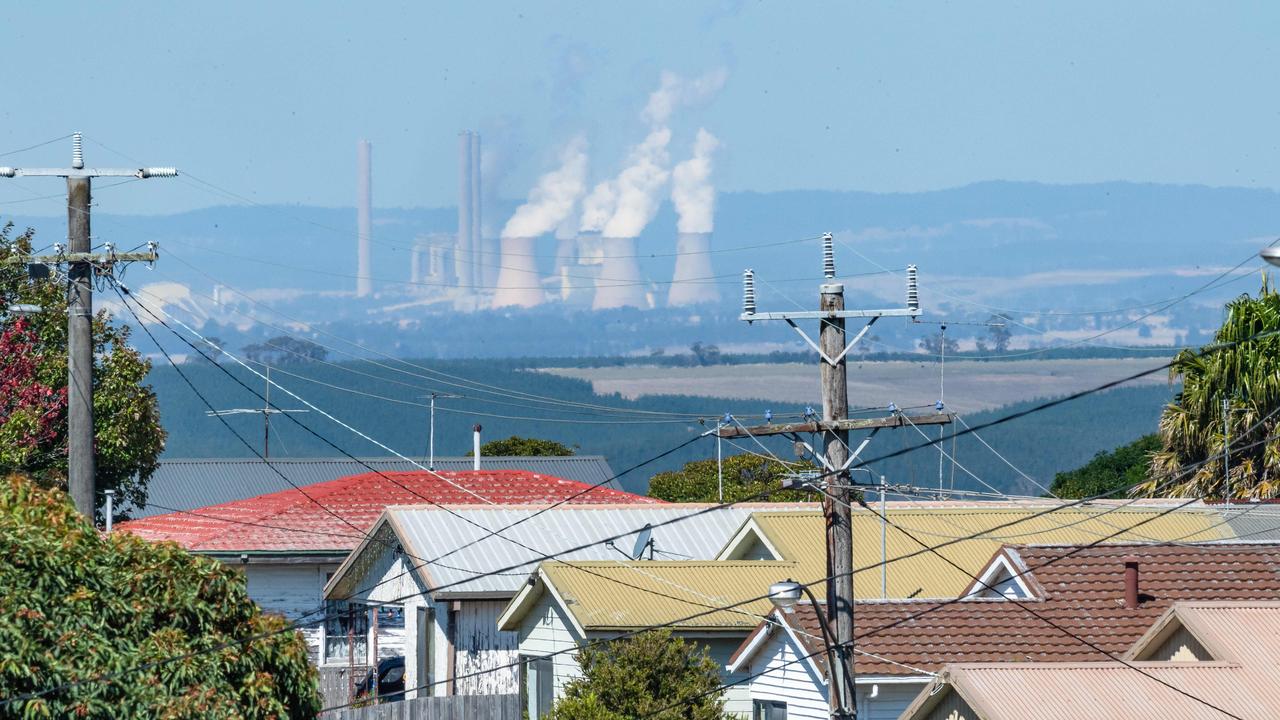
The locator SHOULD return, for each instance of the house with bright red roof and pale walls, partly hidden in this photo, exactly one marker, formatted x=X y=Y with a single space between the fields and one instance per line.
x=290 y=543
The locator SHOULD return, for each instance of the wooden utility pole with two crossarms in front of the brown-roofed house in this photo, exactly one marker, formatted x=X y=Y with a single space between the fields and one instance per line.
x=836 y=455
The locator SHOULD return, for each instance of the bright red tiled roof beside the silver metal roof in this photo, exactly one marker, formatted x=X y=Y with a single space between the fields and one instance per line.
x=272 y=523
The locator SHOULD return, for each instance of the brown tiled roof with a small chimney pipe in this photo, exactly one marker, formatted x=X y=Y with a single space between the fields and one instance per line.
x=1080 y=590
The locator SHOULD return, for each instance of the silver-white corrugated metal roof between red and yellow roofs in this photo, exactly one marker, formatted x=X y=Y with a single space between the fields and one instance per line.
x=429 y=532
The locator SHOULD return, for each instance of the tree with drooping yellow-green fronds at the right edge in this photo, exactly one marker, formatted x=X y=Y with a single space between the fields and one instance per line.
x=1245 y=371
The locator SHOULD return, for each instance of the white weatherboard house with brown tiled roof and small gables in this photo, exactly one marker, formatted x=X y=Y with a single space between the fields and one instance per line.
x=1069 y=590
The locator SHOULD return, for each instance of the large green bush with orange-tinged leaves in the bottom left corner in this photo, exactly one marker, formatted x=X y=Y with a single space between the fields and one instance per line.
x=79 y=605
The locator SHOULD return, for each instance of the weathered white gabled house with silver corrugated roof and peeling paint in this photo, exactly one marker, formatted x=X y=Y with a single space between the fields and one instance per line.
x=452 y=603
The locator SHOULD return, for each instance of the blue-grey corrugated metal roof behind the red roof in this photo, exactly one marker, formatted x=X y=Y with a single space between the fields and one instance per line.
x=191 y=484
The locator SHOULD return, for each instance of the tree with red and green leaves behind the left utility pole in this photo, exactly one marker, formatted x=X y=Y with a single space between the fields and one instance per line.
x=127 y=430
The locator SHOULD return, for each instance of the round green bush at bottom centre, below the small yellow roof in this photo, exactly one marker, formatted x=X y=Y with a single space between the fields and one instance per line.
x=653 y=675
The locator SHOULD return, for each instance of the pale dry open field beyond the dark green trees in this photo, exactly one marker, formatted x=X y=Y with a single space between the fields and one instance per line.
x=971 y=385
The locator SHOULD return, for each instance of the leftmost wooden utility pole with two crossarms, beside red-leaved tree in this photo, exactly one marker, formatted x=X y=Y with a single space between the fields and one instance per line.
x=84 y=263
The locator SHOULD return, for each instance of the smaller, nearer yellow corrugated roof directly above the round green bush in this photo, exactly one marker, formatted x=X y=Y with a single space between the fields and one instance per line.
x=606 y=596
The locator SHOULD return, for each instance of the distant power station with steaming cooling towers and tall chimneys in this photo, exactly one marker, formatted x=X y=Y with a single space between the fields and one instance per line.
x=551 y=252
